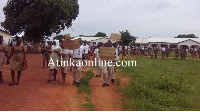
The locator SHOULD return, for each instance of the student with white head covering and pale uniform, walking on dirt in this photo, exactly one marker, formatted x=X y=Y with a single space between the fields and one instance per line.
x=55 y=51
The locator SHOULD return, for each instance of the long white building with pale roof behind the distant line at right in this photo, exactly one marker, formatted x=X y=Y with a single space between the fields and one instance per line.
x=171 y=42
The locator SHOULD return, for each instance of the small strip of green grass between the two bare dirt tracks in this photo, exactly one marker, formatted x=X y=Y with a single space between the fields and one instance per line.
x=84 y=85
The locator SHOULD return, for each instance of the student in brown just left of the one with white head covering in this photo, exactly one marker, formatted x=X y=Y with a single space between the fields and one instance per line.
x=45 y=54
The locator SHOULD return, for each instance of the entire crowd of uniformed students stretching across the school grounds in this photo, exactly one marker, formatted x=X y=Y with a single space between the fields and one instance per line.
x=54 y=51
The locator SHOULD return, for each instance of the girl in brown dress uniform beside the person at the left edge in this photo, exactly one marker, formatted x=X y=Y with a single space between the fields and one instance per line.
x=19 y=57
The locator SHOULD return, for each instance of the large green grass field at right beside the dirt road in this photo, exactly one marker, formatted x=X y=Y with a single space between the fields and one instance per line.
x=164 y=85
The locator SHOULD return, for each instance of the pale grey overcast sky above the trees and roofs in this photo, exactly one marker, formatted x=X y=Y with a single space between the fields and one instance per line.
x=143 y=18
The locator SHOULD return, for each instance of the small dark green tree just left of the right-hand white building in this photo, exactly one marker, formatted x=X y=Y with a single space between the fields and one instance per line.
x=127 y=38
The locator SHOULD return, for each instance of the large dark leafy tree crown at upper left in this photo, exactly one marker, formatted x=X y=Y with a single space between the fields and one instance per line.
x=39 y=18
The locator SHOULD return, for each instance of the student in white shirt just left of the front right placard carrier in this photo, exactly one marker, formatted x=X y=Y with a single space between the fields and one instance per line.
x=98 y=61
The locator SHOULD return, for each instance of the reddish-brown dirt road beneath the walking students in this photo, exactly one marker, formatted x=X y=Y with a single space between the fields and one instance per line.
x=35 y=94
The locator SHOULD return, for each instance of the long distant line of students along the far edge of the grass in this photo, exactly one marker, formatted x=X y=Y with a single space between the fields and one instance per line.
x=155 y=51
